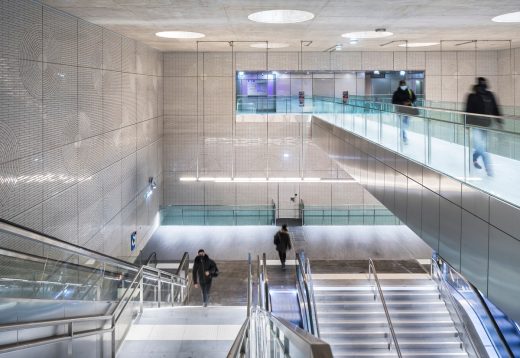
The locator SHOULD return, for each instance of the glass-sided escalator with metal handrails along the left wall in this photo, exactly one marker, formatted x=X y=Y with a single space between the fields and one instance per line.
x=58 y=299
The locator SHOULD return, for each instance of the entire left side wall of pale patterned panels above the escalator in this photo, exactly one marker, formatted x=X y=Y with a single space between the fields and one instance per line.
x=62 y=144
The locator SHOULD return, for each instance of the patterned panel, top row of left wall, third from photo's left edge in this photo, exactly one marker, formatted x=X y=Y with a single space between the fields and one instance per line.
x=90 y=42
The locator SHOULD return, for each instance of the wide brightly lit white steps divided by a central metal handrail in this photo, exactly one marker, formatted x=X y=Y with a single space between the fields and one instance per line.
x=356 y=326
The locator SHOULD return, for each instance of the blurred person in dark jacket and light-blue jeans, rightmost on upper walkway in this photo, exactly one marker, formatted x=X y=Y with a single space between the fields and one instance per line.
x=481 y=101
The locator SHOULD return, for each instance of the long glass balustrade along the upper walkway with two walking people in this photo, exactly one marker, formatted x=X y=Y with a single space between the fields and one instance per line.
x=452 y=142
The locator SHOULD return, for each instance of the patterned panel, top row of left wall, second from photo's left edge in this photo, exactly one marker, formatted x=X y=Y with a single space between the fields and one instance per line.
x=60 y=37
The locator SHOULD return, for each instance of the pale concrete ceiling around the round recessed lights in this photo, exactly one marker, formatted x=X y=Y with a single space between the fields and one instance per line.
x=226 y=20
